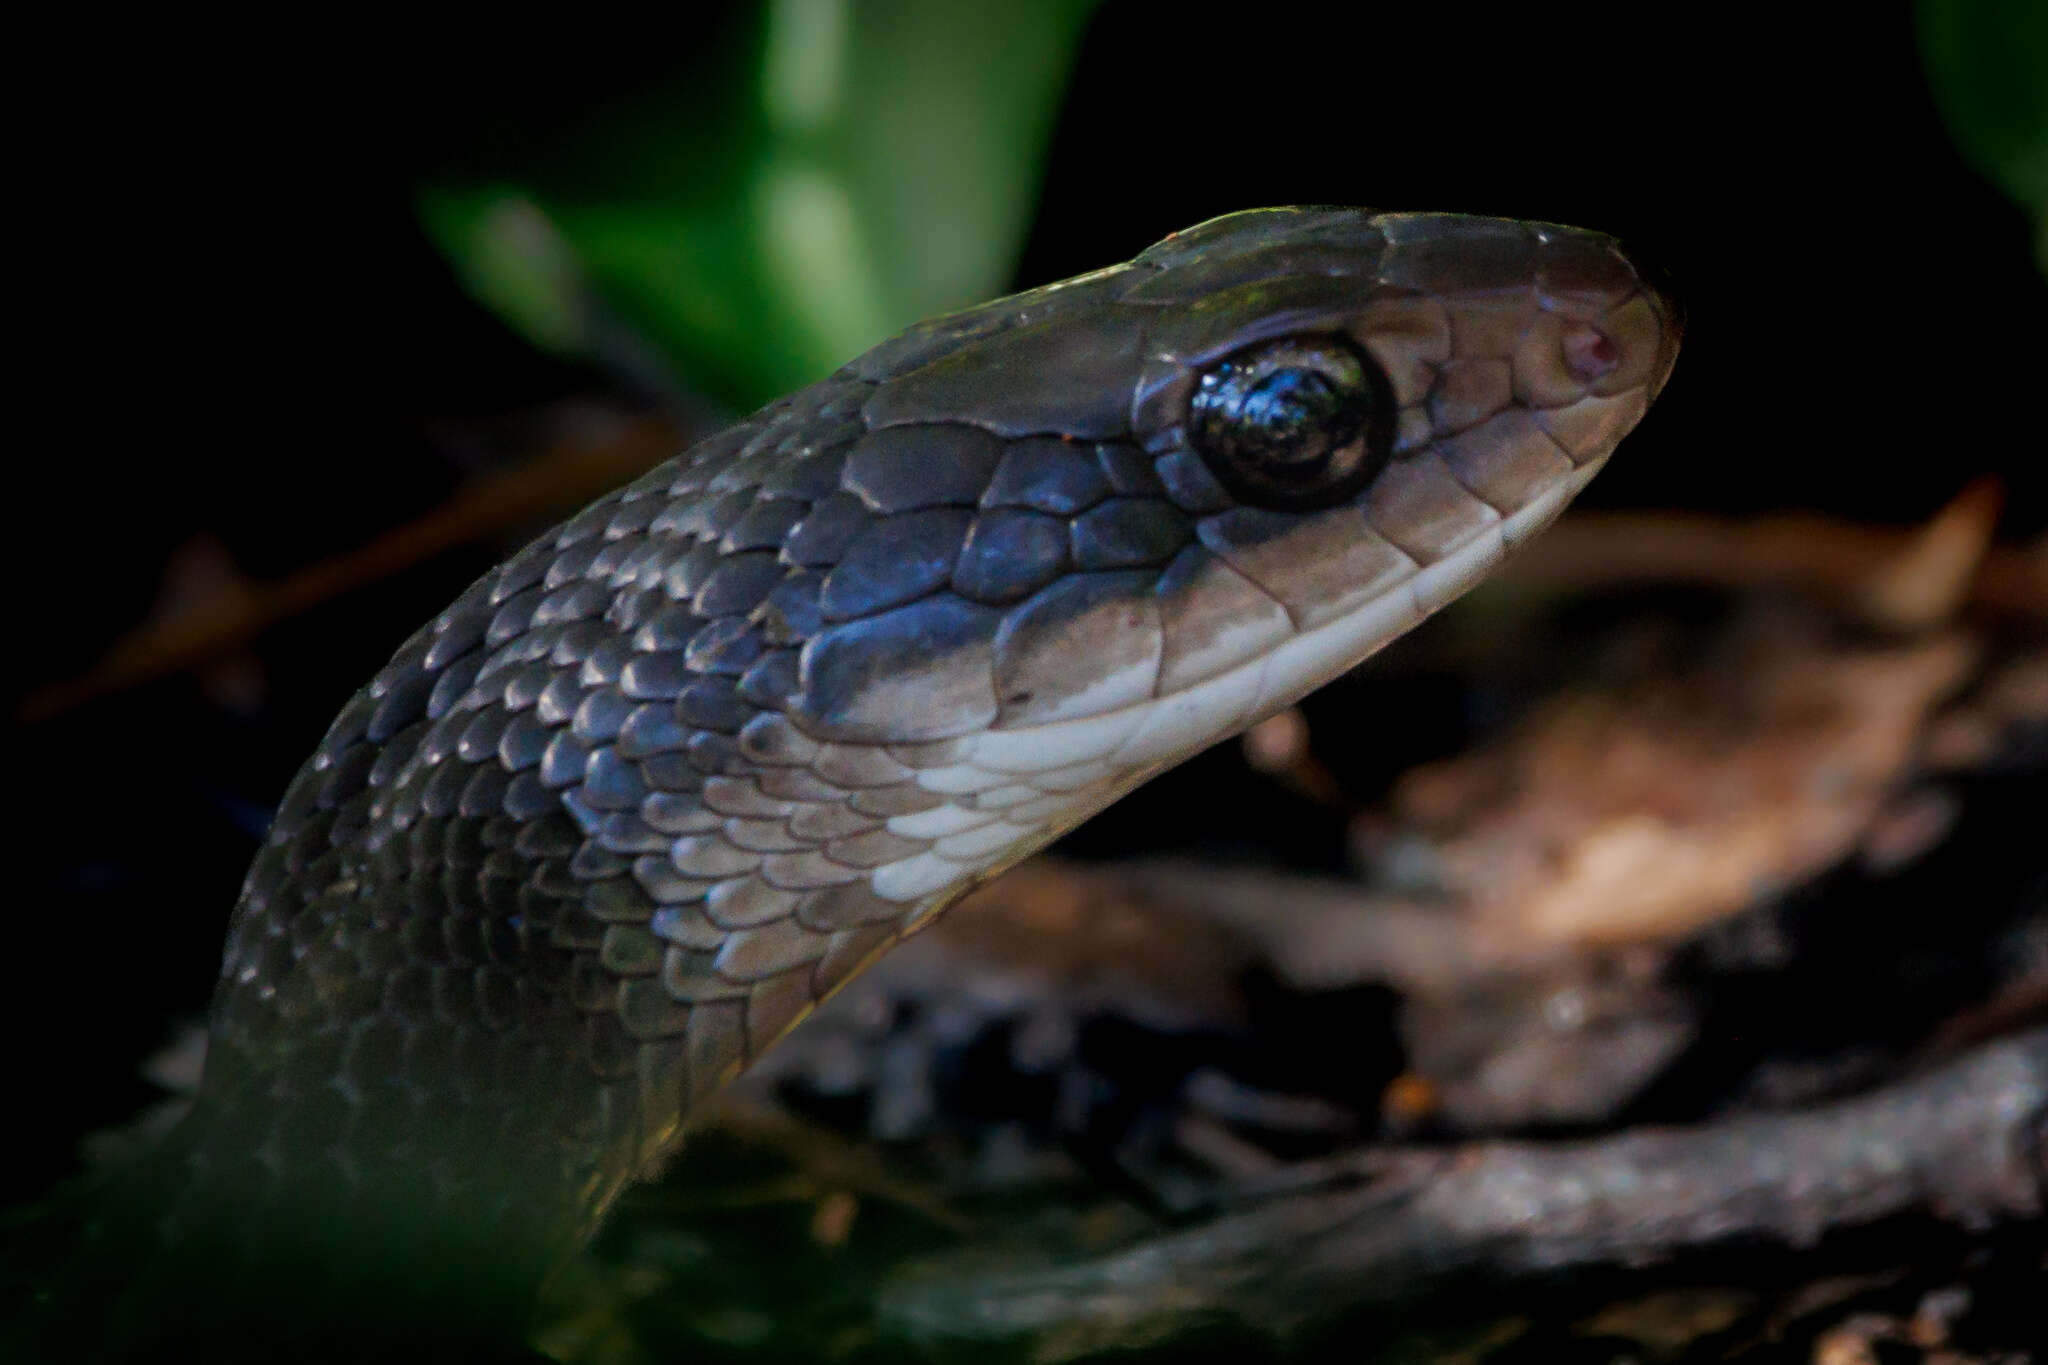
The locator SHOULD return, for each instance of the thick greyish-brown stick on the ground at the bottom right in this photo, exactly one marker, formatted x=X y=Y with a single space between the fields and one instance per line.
x=1963 y=1145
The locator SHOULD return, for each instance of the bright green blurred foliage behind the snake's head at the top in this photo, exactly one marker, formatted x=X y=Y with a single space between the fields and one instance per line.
x=806 y=181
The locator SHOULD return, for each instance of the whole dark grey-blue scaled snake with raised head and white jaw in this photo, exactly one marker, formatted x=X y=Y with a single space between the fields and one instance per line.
x=658 y=785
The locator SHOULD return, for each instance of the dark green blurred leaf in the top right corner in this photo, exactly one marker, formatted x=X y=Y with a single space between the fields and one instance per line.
x=1988 y=67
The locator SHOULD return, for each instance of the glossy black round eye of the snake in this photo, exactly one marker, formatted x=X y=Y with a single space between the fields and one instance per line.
x=1293 y=425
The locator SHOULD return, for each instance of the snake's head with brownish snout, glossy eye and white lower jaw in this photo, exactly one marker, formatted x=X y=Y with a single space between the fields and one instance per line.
x=1175 y=496
